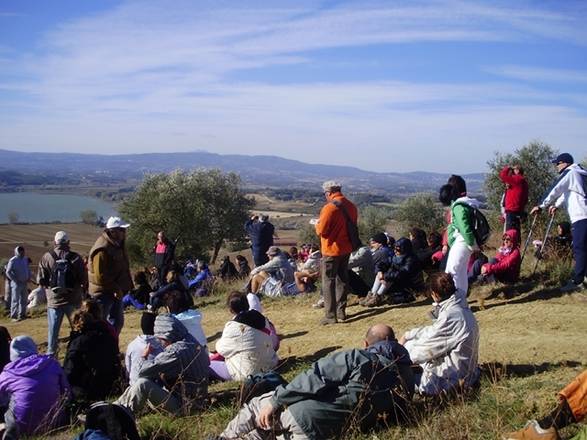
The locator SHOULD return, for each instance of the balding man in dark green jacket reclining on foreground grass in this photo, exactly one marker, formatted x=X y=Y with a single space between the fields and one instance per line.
x=357 y=386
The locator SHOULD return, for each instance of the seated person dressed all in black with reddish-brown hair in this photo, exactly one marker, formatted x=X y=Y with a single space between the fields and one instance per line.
x=92 y=363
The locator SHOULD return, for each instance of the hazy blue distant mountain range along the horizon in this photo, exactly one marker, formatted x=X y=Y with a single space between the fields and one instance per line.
x=258 y=171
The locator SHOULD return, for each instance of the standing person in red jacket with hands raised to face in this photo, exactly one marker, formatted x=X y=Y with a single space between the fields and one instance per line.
x=516 y=195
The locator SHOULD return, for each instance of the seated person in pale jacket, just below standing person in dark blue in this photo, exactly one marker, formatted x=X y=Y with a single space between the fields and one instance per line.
x=270 y=278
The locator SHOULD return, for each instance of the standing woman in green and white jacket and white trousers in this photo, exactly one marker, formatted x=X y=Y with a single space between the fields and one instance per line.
x=461 y=239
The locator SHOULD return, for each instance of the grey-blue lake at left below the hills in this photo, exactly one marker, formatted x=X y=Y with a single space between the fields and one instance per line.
x=44 y=208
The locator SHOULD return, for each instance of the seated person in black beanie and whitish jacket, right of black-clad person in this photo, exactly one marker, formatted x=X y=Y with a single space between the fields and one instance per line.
x=134 y=358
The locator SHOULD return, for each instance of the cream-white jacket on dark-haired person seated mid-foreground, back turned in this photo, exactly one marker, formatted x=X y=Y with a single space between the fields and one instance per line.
x=246 y=350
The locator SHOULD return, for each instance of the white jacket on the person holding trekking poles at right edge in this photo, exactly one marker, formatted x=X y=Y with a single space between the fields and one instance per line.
x=570 y=189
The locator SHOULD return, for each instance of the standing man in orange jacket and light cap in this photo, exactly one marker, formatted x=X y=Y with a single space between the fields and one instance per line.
x=336 y=247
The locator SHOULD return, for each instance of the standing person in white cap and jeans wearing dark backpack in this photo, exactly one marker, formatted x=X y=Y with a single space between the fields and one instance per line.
x=63 y=275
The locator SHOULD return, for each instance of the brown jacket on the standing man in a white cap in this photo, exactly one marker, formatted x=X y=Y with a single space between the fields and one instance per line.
x=108 y=268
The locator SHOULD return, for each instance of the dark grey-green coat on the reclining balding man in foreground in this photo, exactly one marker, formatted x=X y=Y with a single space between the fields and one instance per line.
x=352 y=386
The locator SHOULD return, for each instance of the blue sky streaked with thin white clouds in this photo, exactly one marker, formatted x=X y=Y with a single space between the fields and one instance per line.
x=382 y=85
